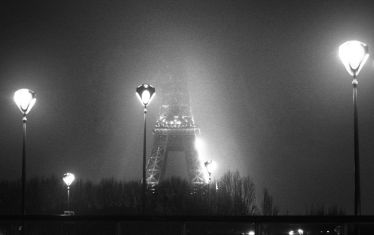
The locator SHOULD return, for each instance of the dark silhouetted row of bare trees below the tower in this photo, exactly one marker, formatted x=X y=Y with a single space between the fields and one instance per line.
x=232 y=194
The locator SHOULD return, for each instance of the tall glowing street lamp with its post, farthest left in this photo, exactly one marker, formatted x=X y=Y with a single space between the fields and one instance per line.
x=25 y=100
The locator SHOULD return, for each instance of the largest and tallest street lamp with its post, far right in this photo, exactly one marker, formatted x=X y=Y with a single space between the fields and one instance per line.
x=353 y=55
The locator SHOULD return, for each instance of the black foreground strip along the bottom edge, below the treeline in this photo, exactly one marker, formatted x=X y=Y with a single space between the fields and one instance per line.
x=183 y=225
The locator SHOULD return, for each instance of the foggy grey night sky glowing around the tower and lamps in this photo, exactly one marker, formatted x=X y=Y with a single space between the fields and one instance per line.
x=268 y=91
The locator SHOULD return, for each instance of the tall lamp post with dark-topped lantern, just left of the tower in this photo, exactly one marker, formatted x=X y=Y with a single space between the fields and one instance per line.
x=145 y=94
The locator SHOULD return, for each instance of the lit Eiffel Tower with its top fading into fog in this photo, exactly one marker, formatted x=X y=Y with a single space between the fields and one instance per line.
x=175 y=130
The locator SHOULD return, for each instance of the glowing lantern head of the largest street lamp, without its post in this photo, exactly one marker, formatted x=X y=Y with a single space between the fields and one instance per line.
x=353 y=55
